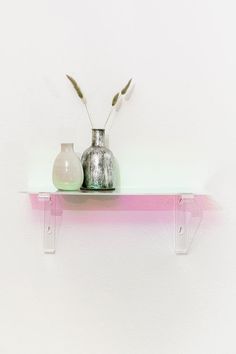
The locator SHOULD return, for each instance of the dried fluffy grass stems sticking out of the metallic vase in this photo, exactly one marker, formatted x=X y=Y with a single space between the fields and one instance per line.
x=115 y=103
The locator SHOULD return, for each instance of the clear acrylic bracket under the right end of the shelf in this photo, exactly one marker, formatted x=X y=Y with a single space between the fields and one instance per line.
x=188 y=217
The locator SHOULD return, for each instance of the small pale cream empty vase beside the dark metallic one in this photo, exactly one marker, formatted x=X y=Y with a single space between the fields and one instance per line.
x=67 y=172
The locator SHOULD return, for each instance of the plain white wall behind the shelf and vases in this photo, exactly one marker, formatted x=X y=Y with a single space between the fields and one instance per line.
x=114 y=285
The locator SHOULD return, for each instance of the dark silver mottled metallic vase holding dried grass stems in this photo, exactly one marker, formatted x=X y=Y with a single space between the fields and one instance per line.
x=98 y=164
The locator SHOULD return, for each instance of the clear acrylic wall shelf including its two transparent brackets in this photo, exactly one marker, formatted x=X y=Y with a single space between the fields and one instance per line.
x=187 y=210
